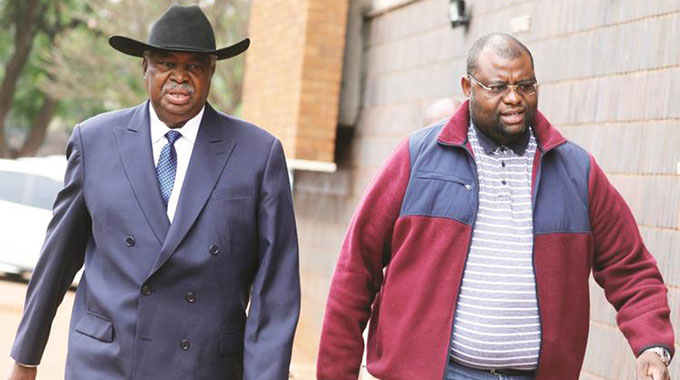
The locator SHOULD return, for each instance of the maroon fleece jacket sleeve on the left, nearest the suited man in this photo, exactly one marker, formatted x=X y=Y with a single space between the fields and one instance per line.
x=358 y=274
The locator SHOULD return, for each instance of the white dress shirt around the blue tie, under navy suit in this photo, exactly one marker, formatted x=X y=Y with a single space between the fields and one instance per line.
x=183 y=145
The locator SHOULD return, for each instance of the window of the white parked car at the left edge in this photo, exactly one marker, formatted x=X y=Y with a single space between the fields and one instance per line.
x=29 y=189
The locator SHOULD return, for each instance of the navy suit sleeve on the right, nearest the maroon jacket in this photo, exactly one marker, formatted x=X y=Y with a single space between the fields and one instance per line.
x=275 y=297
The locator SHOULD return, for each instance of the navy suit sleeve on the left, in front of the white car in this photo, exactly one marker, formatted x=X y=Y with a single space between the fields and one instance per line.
x=61 y=257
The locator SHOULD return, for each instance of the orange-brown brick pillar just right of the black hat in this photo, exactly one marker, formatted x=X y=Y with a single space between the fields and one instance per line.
x=293 y=70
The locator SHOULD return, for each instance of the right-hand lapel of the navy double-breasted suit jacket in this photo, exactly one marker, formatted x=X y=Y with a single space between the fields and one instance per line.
x=208 y=158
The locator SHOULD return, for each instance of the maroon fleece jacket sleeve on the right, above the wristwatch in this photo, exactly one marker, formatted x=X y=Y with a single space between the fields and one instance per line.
x=626 y=270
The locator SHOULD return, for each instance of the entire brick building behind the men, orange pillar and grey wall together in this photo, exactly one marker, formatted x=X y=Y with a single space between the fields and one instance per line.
x=342 y=82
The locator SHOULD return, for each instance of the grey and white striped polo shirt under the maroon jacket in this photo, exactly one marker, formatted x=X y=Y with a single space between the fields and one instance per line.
x=496 y=324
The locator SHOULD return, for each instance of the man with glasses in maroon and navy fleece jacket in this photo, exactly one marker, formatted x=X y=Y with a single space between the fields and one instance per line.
x=471 y=252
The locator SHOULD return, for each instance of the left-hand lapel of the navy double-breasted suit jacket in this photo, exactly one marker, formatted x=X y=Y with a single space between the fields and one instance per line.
x=134 y=146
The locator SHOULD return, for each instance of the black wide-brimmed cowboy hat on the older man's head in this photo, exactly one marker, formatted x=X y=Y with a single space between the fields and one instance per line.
x=184 y=29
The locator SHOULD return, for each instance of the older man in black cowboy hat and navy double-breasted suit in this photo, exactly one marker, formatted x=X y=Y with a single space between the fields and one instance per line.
x=183 y=219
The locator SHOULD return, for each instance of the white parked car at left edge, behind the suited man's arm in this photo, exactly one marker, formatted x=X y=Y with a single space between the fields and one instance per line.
x=28 y=188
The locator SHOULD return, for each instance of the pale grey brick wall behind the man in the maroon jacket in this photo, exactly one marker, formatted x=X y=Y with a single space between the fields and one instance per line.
x=610 y=81
